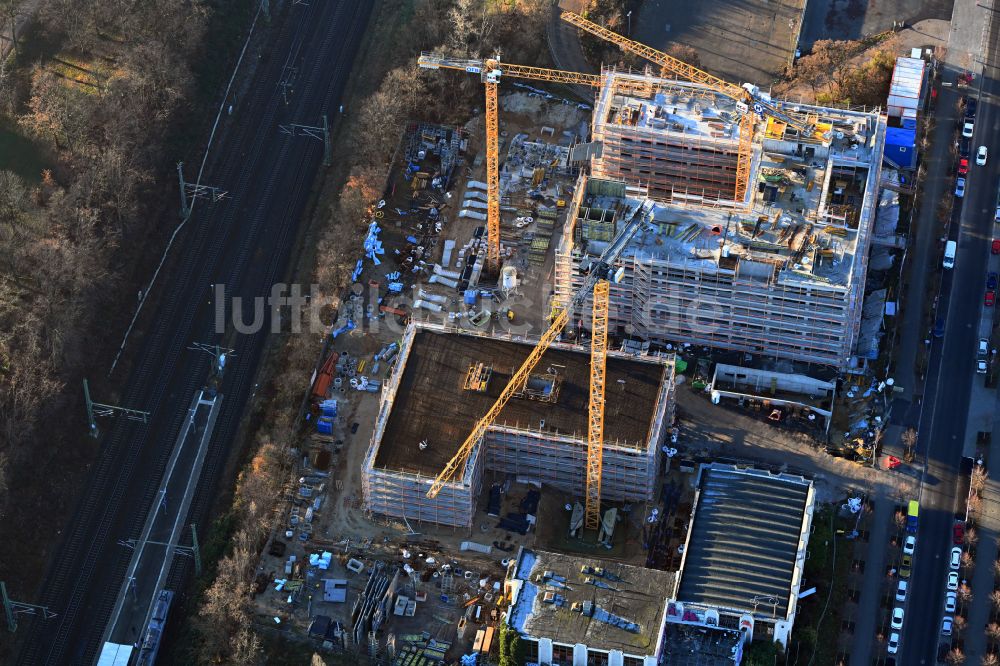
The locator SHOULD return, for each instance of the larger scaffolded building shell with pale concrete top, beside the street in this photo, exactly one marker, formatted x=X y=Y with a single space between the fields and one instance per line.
x=780 y=272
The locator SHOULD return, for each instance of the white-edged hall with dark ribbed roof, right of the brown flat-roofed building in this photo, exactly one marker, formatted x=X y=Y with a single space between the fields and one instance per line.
x=745 y=552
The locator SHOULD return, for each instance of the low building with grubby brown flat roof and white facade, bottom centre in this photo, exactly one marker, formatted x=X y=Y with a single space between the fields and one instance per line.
x=588 y=612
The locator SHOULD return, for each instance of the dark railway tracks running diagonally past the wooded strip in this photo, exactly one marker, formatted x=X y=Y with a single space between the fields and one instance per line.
x=243 y=242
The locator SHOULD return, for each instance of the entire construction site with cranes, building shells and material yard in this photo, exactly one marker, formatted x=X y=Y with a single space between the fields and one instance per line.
x=495 y=440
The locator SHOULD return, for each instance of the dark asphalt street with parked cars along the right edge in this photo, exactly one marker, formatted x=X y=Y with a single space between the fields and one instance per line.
x=946 y=399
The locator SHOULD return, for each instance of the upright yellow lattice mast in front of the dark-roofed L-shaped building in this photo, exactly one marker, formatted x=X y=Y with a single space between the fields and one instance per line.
x=595 y=429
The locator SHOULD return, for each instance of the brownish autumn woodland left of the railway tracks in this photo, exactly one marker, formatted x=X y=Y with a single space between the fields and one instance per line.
x=95 y=86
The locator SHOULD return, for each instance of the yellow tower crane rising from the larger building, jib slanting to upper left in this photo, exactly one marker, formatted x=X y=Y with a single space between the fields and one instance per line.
x=748 y=97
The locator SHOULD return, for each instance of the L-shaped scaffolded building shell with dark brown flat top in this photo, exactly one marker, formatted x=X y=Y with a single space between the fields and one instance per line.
x=445 y=380
